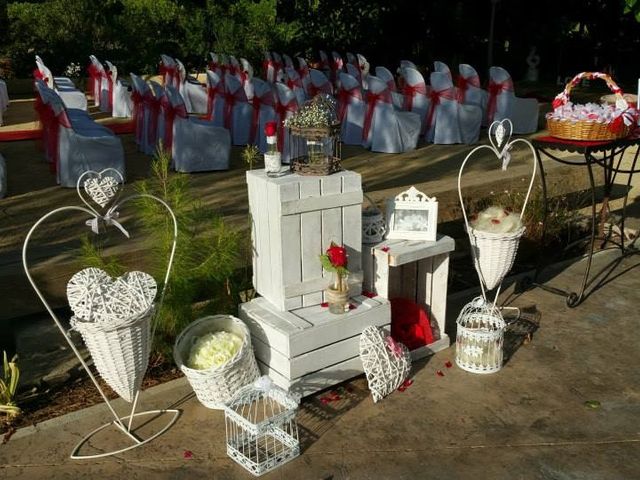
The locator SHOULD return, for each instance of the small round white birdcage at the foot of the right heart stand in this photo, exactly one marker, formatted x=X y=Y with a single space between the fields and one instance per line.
x=480 y=337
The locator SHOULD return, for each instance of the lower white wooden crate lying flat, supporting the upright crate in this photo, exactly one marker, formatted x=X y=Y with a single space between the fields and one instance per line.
x=306 y=349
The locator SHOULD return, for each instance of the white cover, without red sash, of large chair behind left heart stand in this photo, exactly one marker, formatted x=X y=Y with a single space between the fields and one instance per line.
x=83 y=144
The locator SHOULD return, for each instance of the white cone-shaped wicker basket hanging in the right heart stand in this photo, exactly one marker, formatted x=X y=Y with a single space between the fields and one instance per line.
x=494 y=254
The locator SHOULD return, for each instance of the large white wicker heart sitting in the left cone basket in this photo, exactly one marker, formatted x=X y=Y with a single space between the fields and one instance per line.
x=95 y=297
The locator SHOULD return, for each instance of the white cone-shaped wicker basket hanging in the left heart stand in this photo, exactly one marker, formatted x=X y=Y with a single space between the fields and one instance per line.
x=120 y=354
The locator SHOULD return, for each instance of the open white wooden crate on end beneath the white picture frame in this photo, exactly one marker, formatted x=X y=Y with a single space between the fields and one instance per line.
x=413 y=269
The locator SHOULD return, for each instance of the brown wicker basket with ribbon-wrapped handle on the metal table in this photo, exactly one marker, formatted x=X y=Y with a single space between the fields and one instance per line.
x=586 y=129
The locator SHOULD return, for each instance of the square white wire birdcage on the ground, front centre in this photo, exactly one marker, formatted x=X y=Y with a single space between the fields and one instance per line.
x=262 y=432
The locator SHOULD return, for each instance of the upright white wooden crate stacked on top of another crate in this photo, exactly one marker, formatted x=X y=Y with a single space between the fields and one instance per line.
x=294 y=219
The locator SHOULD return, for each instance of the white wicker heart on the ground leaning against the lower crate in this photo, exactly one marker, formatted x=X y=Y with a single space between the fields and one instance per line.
x=386 y=363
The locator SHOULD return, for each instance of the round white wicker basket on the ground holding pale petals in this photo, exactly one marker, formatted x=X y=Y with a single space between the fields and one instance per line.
x=217 y=385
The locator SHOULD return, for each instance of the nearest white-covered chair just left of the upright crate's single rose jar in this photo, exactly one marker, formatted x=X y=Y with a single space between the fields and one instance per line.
x=196 y=145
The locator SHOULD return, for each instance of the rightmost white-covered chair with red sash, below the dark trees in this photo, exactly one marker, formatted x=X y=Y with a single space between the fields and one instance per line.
x=502 y=103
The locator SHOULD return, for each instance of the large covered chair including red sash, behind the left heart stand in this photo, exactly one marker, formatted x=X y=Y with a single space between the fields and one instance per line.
x=73 y=141
